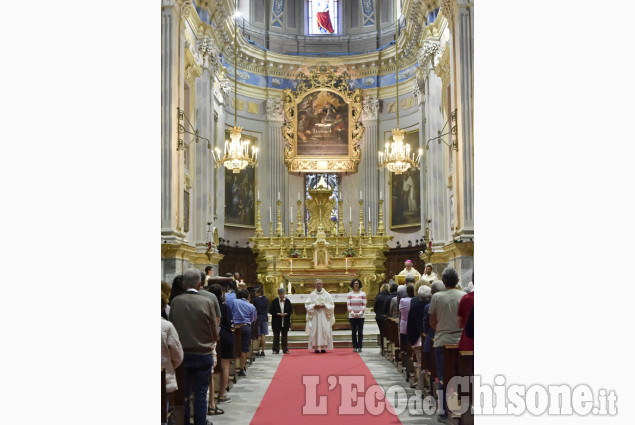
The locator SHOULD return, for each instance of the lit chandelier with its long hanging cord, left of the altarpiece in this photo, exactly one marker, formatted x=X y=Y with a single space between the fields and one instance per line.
x=236 y=156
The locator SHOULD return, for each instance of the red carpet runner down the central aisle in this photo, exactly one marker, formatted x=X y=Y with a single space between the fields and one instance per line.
x=332 y=401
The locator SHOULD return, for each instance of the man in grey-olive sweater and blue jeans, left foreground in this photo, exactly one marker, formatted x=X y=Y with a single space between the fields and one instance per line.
x=194 y=318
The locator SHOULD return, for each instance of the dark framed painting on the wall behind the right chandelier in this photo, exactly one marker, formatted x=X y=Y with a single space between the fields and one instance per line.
x=405 y=197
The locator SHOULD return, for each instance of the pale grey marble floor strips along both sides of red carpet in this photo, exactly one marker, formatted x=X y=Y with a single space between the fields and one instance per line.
x=247 y=394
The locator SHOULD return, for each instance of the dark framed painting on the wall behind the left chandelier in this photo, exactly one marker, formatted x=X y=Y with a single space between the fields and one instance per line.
x=240 y=193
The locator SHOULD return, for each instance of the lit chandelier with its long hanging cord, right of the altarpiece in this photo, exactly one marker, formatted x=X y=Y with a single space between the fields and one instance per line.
x=397 y=157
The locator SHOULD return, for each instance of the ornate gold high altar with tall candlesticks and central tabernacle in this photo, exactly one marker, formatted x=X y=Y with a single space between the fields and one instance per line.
x=327 y=252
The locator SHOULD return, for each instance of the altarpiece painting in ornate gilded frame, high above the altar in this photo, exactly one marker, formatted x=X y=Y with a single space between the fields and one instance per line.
x=322 y=127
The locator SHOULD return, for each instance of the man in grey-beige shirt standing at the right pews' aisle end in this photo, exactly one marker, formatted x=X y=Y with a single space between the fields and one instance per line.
x=443 y=319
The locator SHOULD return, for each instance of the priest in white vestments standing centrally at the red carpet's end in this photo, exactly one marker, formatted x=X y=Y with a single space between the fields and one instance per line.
x=320 y=317
